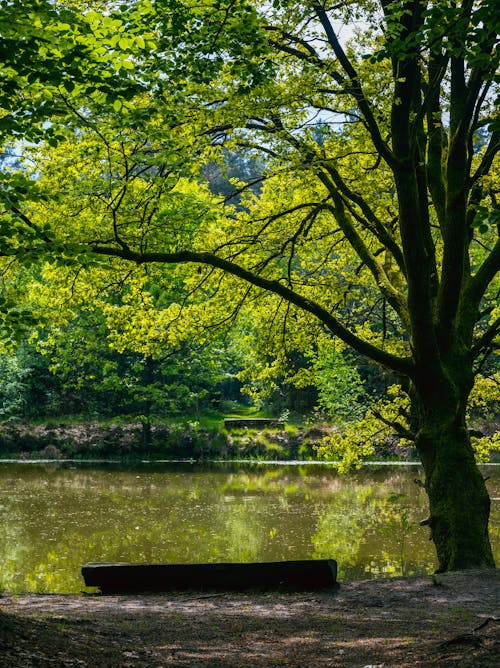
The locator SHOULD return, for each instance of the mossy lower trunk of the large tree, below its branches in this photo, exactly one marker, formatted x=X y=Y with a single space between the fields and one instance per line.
x=458 y=499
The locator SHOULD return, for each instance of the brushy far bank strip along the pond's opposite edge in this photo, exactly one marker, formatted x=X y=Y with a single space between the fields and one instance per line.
x=182 y=439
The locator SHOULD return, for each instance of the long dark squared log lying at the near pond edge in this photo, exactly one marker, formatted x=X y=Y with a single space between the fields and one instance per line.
x=116 y=578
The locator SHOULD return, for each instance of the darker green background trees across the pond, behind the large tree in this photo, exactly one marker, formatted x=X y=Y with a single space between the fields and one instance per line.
x=74 y=370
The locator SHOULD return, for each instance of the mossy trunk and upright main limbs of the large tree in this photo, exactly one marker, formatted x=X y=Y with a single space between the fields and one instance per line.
x=441 y=307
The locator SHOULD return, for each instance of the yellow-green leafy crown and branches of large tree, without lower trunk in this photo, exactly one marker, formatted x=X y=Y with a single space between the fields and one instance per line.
x=377 y=218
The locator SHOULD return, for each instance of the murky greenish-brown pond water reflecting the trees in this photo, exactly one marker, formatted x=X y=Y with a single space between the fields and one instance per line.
x=57 y=516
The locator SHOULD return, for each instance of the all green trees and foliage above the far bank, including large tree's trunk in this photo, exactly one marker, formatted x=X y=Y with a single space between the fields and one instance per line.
x=296 y=199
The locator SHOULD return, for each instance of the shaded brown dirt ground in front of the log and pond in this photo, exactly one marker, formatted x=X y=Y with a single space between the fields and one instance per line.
x=445 y=620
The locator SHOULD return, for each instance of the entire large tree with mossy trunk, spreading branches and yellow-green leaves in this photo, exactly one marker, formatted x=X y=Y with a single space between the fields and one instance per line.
x=380 y=148
